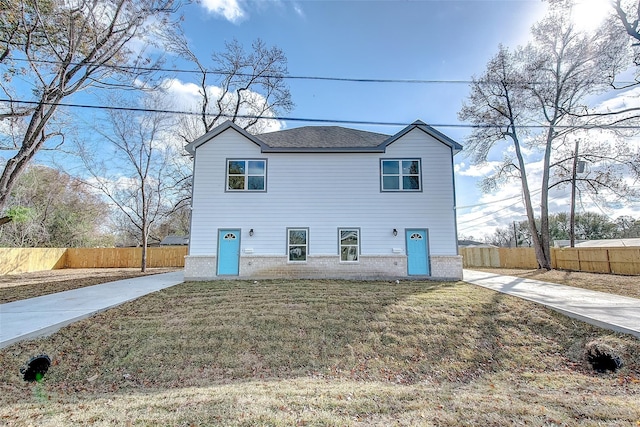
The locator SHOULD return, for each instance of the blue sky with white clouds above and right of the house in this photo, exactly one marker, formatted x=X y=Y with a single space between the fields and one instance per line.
x=444 y=41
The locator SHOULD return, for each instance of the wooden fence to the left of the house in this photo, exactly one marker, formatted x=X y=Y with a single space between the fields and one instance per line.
x=23 y=260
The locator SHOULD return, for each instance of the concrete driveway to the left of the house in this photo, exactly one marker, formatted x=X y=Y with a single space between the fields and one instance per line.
x=44 y=315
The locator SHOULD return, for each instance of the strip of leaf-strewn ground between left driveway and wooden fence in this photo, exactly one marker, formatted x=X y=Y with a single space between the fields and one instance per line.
x=16 y=287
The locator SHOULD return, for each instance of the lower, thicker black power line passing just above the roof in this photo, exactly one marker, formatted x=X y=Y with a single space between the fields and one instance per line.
x=303 y=119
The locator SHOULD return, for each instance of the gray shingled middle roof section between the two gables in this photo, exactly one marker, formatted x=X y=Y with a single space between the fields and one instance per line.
x=322 y=137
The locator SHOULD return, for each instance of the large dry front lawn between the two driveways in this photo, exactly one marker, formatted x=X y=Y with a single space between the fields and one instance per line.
x=323 y=353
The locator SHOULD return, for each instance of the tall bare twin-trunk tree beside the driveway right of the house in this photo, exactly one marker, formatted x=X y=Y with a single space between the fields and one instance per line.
x=534 y=98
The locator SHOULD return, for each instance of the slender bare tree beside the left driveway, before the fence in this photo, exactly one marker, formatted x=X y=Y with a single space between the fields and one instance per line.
x=129 y=164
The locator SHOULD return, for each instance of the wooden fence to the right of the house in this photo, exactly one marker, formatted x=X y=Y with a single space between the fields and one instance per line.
x=618 y=260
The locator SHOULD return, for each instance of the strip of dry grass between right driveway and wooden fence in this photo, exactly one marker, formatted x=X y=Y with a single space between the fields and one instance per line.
x=614 y=284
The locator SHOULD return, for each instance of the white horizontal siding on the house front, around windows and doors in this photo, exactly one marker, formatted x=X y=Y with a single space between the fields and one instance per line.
x=323 y=192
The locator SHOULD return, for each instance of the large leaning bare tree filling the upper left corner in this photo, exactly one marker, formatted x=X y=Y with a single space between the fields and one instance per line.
x=59 y=48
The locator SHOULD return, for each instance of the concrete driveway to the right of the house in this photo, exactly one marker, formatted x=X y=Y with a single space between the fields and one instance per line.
x=618 y=313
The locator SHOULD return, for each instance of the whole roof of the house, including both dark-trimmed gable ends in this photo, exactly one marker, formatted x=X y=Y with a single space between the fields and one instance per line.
x=324 y=138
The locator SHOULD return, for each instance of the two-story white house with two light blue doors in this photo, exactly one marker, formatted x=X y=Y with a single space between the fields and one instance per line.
x=323 y=202
